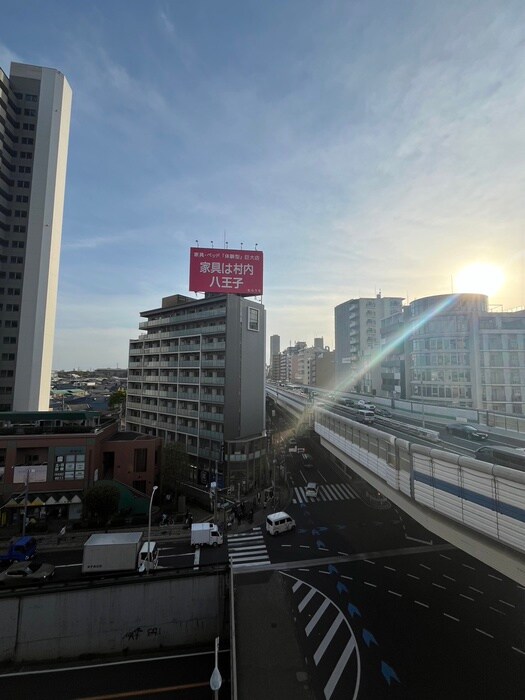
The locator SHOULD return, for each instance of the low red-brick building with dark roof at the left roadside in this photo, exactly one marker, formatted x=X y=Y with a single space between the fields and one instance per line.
x=61 y=454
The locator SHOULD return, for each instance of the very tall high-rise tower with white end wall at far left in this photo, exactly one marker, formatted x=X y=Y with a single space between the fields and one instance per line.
x=35 y=111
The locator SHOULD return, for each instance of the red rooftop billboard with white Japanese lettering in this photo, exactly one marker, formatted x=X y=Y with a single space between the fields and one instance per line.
x=226 y=271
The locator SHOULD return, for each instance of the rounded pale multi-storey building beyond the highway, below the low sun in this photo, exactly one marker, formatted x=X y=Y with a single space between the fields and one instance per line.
x=450 y=349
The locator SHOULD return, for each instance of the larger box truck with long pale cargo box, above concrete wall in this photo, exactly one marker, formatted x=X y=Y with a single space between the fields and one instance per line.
x=119 y=551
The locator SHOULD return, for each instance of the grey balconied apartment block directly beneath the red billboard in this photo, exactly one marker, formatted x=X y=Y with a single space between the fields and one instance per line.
x=197 y=377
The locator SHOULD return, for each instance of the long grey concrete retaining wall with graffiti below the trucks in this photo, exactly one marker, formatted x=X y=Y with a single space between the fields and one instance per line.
x=102 y=618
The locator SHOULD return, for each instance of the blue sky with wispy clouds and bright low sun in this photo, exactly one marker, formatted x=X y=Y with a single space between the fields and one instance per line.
x=362 y=145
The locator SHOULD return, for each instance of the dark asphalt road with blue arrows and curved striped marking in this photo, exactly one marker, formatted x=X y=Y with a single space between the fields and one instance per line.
x=384 y=609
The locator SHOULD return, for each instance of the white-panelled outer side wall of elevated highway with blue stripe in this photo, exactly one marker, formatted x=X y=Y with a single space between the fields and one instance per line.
x=476 y=506
